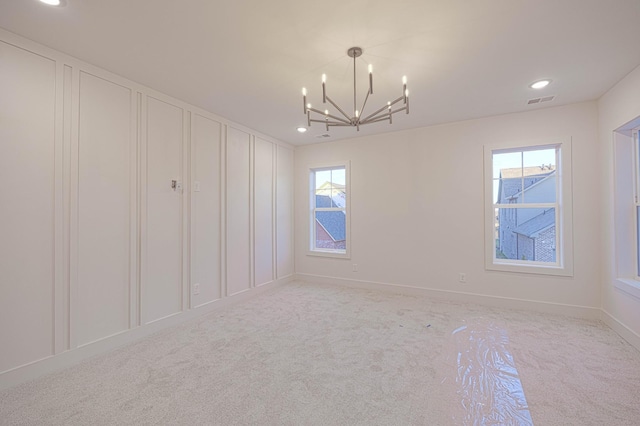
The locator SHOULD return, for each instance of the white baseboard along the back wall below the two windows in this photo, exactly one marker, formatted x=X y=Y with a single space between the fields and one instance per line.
x=462 y=297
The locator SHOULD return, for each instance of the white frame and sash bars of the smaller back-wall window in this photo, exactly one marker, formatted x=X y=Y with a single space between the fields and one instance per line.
x=312 y=250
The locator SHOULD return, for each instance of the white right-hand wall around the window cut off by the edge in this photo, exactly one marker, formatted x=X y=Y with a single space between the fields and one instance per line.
x=617 y=107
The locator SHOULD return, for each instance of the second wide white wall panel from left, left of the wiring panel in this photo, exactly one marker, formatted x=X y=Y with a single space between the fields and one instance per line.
x=105 y=170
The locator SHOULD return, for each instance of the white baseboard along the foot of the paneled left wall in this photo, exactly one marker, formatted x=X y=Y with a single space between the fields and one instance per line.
x=54 y=363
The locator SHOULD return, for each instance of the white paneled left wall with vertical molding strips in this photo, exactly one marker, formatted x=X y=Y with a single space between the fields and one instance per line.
x=96 y=247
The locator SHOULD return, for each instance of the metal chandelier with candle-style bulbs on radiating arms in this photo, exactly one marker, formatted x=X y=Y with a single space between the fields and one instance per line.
x=356 y=120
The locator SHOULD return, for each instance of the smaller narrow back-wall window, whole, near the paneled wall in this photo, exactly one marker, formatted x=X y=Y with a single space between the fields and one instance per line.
x=329 y=214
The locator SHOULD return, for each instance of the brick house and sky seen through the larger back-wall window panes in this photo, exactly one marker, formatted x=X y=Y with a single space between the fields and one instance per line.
x=527 y=233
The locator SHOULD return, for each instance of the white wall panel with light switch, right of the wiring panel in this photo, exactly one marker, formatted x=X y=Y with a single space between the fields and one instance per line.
x=205 y=203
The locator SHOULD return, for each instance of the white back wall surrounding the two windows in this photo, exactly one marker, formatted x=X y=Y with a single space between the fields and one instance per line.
x=417 y=210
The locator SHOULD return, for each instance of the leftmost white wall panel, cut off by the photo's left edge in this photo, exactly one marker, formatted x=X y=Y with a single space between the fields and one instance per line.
x=27 y=225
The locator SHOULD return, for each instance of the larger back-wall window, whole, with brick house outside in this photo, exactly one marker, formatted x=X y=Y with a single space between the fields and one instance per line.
x=529 y=208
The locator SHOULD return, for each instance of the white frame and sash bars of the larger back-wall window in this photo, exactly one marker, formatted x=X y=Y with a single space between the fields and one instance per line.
x=563 y=210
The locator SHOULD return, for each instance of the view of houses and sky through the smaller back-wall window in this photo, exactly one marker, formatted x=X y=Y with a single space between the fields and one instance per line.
x=331 y=225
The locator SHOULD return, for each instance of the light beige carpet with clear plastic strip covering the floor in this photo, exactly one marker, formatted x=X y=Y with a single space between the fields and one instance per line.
x=309 y=354
